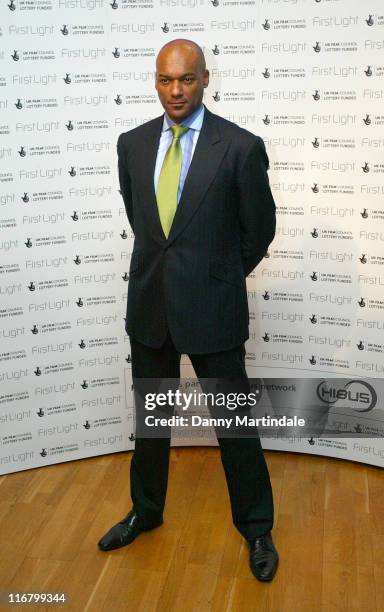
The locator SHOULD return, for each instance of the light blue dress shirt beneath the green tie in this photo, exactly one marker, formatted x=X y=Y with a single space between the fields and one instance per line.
x=187 y=141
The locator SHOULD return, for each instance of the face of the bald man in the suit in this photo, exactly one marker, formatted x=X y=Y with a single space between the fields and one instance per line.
x=180 y=81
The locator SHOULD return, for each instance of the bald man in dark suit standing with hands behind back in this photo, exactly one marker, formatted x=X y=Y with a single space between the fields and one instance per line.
x=197 y=195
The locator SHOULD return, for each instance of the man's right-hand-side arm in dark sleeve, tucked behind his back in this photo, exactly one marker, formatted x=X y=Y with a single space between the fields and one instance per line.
x=256 y=206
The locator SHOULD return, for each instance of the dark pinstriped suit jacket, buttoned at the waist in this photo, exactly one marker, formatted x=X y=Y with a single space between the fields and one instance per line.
x=193 y=283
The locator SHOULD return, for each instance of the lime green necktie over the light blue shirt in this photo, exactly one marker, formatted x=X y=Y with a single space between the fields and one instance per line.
x=168 y=184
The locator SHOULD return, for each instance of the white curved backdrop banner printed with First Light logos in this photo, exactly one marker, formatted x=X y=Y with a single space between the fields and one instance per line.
x=307 y=76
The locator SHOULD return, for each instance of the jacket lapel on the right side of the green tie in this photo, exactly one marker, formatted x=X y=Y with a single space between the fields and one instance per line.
x=209 y=152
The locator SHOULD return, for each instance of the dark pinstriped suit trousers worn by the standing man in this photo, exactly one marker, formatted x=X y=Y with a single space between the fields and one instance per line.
x=245 y=468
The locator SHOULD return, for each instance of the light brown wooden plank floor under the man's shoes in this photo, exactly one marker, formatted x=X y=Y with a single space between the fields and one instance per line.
x=329 y=530
